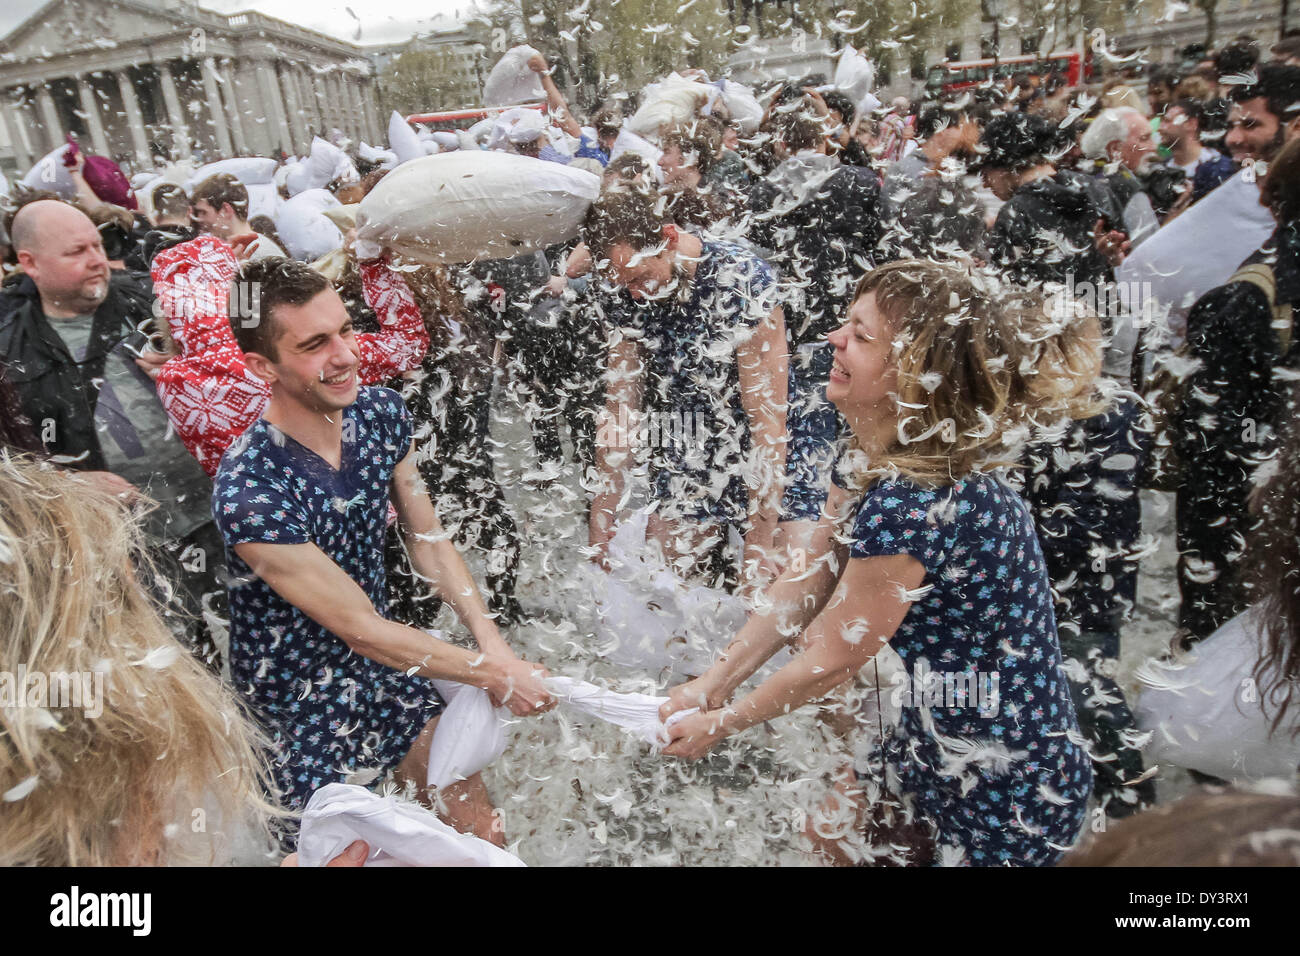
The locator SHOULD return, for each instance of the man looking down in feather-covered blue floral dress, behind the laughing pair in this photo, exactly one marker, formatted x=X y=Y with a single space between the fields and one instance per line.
x=705 y=353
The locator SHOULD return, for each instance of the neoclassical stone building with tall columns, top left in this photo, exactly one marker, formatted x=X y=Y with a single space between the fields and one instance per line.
x=142 y=79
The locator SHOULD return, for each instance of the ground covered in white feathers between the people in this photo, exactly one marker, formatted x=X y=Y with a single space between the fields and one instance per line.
x=579 y=794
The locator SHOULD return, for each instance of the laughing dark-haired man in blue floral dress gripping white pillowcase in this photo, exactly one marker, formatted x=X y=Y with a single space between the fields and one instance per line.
x=304 y=501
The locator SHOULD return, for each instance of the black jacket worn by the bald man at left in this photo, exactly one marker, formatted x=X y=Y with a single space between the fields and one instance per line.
x=53 y=391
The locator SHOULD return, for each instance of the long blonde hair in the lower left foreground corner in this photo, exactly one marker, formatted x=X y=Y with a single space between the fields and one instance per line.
x=123 y=788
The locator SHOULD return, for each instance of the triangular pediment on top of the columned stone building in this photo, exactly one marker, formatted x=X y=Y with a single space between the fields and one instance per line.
x=70 y=27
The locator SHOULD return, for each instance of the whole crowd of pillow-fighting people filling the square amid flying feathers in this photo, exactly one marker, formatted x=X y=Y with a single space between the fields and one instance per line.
x=908 y=371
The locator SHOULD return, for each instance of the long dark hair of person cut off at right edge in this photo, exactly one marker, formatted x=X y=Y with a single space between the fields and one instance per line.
x=1275 y=550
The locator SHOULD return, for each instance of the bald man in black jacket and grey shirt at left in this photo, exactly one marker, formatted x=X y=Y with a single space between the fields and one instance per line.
x=72 y=335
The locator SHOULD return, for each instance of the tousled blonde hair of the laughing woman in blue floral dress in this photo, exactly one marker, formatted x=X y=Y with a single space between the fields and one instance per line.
x=981 y=367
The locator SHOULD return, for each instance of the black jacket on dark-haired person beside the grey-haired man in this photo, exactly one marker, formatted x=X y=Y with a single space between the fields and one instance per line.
x=1045 y=233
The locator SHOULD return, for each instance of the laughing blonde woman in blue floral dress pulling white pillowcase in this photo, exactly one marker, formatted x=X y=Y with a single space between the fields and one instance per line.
x=941 y=560
